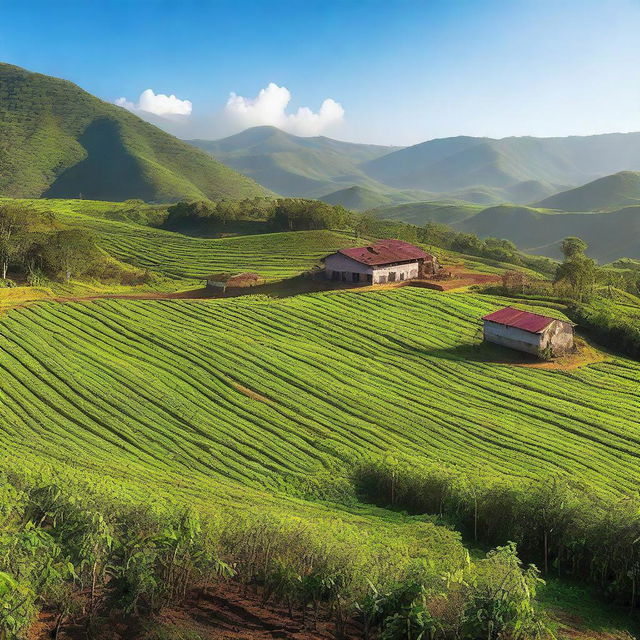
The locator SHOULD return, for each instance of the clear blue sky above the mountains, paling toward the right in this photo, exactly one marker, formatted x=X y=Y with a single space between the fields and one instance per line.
x=392 y=72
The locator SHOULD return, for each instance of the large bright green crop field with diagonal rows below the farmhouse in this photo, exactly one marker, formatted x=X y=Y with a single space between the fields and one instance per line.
x=256 y=393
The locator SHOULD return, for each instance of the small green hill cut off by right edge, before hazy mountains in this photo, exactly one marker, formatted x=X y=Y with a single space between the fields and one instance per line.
x=610 y=192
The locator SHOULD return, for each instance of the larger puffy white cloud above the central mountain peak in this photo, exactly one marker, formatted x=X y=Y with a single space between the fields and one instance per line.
x=269 y=108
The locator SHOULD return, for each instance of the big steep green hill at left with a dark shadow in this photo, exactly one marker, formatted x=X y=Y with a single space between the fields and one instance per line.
x=57 y=140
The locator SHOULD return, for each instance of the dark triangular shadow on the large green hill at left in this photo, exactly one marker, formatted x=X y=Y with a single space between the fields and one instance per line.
x=108 y=172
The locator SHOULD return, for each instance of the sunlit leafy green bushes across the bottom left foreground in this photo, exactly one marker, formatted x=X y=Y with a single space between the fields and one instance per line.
x=91 y=557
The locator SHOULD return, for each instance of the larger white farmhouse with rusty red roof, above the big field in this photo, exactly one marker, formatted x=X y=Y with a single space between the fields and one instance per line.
x=385 y=261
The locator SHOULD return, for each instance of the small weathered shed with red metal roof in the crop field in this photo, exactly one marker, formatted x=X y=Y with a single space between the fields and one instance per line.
x=530 y=332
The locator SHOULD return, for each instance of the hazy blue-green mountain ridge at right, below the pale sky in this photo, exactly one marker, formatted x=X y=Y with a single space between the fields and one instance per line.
x=451 y=164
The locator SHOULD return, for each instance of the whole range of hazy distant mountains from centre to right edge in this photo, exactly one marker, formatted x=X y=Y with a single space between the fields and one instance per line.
x=480 y=170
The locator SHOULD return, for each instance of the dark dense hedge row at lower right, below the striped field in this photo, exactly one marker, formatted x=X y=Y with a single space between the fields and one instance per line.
x=563 y=526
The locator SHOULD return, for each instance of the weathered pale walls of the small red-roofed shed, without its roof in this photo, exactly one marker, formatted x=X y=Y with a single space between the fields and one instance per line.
x=558 y=336
